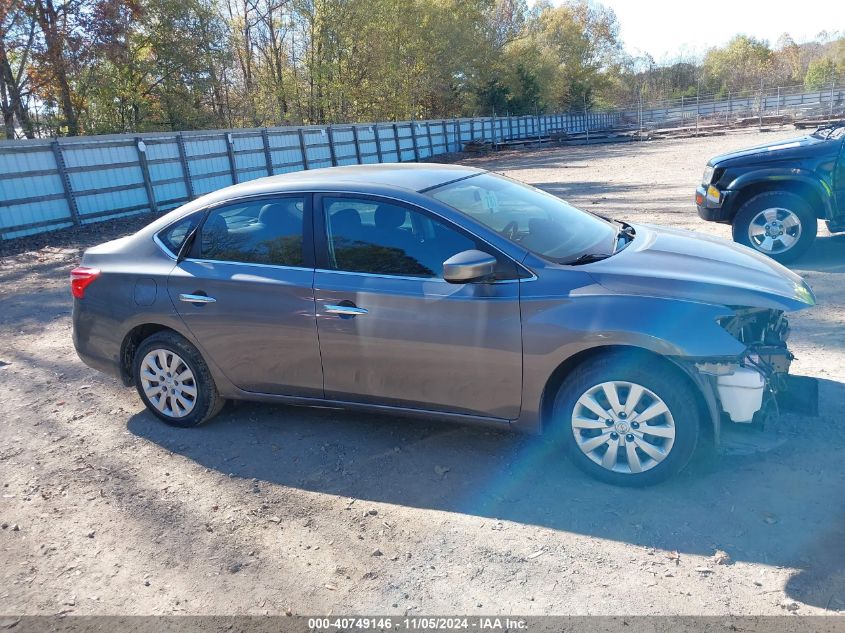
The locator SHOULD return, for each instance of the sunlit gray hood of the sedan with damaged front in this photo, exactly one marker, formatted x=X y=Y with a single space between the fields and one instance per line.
x=697 y=267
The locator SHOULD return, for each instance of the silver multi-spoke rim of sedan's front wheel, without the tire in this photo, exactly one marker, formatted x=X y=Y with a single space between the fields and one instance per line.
x=623 y=427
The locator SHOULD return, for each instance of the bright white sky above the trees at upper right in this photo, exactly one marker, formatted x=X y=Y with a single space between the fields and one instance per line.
x=664 y=28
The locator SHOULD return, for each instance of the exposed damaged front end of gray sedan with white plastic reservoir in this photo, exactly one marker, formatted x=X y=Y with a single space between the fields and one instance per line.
x=758 y=385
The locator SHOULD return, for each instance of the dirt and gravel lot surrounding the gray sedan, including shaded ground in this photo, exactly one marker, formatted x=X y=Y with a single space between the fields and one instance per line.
x=268 y=509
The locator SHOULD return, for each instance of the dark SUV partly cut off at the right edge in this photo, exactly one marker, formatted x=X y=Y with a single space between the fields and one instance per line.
x=773 y=194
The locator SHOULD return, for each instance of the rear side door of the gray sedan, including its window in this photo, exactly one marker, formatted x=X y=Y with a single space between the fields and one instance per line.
x=246 y=293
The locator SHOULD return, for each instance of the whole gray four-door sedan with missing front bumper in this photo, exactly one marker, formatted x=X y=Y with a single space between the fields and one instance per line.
x=446 y=292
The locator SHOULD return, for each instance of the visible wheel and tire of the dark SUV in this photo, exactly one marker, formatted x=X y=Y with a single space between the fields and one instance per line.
x=779 y=224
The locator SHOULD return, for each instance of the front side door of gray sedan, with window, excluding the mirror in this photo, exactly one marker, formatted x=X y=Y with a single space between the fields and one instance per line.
x=393 y=332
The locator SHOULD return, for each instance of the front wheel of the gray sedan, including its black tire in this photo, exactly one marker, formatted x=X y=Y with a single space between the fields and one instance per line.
x=641 y=458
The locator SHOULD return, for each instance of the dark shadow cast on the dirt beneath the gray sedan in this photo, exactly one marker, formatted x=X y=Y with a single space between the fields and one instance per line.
x=781 y=509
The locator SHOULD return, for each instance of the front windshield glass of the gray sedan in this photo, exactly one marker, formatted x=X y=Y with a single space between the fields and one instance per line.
x=537 y=221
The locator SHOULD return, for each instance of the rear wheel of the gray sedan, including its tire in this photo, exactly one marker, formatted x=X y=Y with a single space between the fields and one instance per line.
x=174 y=381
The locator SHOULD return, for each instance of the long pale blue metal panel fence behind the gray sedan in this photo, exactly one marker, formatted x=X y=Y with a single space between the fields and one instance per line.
x=51 y=184
